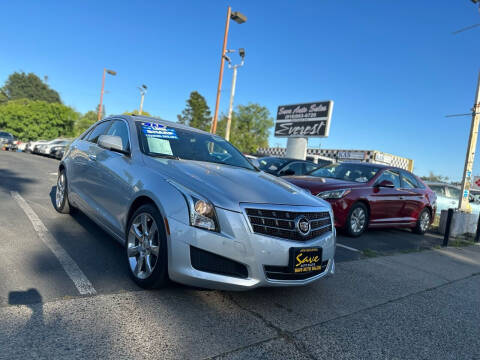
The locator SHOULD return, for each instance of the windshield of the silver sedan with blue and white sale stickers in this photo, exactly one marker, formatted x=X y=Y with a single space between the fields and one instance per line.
x=164 y=141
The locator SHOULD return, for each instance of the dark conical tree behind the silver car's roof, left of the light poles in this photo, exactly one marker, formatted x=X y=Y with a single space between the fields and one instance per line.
x=196 y=113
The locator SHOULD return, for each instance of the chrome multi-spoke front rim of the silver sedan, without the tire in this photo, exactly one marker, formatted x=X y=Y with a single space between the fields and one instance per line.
x=143 y=246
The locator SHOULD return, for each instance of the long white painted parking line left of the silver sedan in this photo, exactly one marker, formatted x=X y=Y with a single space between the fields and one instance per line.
x=83 y=285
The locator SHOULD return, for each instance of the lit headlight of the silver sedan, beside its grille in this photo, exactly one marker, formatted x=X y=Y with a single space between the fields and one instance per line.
x=201 y=211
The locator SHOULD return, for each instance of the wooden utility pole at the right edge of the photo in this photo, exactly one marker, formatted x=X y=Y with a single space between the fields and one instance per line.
x=464 y=204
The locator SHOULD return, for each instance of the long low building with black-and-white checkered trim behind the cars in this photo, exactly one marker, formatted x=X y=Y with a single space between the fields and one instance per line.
x=339 y=155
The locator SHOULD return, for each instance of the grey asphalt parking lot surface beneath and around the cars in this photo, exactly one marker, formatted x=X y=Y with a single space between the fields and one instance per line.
x=364 y=311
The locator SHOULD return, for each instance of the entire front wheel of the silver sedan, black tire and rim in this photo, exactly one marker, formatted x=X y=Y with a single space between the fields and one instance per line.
x=146 y=248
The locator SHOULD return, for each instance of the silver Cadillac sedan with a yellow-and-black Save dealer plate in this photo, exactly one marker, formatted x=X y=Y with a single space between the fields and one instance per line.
x=189 y=207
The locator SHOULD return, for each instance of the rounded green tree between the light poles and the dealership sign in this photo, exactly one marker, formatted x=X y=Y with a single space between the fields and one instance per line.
x=250 y=127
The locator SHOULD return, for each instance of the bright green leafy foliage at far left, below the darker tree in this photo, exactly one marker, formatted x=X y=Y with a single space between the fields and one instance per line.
x=31 y=120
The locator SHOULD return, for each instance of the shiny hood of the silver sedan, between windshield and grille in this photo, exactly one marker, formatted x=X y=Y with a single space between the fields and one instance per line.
x=227 y=186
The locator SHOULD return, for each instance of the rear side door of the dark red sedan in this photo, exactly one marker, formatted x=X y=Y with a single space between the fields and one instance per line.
x=413 y=196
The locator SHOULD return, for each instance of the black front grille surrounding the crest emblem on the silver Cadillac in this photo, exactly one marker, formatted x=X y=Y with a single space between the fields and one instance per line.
x=281 y=223
